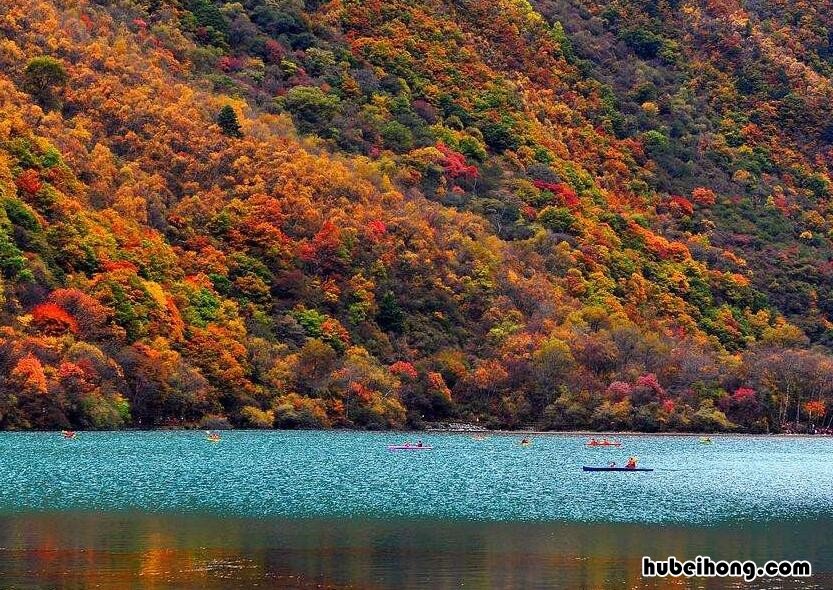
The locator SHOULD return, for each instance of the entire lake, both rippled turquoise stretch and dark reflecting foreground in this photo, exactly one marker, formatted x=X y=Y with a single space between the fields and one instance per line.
x=337 y=510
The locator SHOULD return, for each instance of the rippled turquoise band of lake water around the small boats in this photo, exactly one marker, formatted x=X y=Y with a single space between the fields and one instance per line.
x=352 y=475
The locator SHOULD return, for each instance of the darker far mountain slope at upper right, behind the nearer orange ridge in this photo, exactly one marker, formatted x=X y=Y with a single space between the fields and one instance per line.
x=743 y=92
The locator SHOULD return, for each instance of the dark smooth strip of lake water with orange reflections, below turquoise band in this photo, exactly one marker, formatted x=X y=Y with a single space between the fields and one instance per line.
x=127 y=550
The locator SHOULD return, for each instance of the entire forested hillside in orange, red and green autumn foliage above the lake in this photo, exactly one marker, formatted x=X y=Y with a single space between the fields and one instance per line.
x=287 y=213
